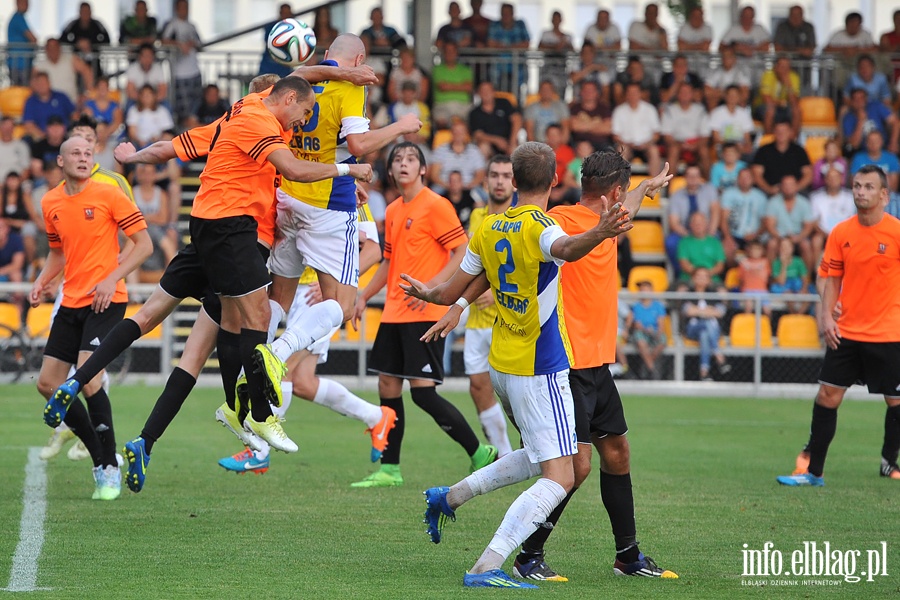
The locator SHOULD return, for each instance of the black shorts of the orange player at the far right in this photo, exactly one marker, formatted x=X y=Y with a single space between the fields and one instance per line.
x=876 y=364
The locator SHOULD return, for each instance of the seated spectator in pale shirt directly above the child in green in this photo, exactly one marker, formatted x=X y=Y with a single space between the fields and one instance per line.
x=789 y=215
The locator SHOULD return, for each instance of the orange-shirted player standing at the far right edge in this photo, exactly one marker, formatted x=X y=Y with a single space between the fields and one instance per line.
x=862 y=254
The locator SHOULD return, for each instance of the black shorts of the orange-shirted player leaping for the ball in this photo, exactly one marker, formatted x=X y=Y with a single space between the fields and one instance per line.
x=226 y=249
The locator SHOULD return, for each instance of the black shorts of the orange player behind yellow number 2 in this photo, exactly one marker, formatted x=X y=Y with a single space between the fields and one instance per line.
x=598 y=406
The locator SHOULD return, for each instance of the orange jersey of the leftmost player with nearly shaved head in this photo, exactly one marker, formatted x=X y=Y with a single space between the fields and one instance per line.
x=85 y=226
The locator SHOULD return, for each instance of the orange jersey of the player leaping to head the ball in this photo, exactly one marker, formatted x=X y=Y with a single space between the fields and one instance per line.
x=238 y=179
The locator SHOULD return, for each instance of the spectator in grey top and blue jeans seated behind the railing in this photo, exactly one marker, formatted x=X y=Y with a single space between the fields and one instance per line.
x=701 y=319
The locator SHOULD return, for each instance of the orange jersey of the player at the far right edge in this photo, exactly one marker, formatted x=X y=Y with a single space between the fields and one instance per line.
x=868 y=260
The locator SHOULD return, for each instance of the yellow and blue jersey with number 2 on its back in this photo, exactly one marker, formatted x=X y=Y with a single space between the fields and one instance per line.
x=513 y=249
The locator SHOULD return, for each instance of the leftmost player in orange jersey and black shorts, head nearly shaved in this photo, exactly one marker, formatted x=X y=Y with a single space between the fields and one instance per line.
x=83 y=218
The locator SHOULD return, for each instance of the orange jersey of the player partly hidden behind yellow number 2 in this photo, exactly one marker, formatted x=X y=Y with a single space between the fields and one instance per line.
x=590 y=292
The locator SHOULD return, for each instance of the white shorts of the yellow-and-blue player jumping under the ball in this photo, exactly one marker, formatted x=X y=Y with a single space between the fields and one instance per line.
x=326 y=240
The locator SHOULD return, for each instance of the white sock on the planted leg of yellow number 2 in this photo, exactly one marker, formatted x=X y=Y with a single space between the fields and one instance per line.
x=532 y=507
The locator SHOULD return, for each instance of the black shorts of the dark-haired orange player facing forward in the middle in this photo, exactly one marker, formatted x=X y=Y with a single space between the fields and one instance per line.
x=398 y=352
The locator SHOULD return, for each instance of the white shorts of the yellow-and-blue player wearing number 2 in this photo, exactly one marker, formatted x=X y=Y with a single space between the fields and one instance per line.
x=544 y=412
